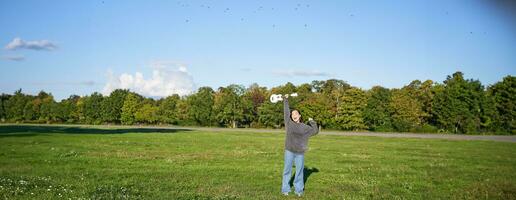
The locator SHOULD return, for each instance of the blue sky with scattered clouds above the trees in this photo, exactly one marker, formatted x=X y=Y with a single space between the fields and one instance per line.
x=162 y=47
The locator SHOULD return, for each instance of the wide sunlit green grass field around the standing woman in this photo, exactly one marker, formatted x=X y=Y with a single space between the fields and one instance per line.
x=48 y=162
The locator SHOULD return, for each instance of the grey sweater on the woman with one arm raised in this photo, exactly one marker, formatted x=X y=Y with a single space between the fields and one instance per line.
x=297 y=133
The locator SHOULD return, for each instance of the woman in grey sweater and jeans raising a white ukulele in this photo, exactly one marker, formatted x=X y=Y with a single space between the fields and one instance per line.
x=296 y=143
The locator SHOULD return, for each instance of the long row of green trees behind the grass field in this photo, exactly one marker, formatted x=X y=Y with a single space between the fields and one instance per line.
x=457 y=105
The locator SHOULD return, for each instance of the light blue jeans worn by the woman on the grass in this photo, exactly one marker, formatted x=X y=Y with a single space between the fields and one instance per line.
x=299 y=158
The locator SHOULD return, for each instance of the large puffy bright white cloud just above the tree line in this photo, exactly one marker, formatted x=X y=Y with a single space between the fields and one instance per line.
x=166 y=80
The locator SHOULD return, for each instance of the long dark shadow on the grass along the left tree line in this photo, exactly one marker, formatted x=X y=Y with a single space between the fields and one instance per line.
x=25 y=130
